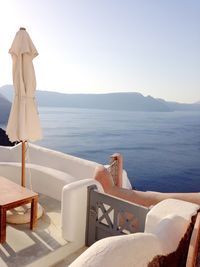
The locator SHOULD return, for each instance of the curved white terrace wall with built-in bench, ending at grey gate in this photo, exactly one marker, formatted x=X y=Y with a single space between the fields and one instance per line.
x=59 y=176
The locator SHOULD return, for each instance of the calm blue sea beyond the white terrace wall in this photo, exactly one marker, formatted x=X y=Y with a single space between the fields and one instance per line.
x=161 y=150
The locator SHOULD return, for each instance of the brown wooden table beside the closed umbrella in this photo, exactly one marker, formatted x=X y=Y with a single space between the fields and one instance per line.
x=13 y=195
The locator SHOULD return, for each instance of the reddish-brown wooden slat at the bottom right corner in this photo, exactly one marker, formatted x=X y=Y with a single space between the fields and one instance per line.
x=194 y=244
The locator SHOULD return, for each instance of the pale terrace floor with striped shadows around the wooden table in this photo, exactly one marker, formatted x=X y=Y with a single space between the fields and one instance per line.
x=42 y=247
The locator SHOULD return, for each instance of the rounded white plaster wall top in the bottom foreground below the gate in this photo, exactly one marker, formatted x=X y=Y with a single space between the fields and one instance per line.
x=121 y=251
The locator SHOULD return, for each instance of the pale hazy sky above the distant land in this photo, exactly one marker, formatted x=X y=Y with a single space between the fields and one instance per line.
x=99 y=46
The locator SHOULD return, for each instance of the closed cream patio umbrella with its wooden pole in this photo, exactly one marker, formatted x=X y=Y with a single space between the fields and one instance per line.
x=23 y=124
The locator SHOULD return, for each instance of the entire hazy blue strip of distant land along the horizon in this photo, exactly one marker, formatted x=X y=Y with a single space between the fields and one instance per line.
x=109 y=101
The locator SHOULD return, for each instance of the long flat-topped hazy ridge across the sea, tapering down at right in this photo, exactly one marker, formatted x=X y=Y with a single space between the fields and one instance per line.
x=113 y=101
